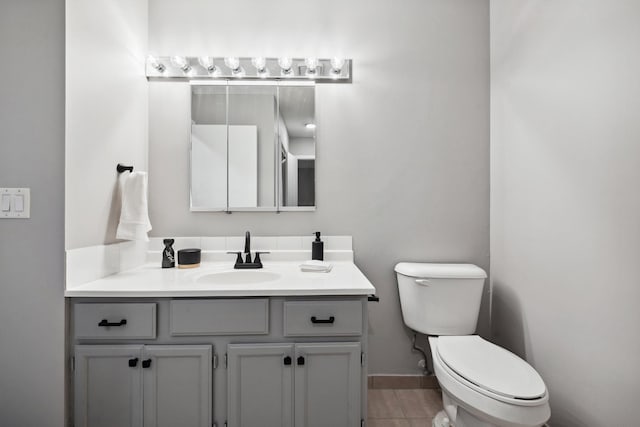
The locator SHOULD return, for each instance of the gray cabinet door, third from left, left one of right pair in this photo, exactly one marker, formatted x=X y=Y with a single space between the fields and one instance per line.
x=260 y=385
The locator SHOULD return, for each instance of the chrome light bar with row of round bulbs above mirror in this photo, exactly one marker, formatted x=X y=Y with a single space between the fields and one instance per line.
x=209 y=68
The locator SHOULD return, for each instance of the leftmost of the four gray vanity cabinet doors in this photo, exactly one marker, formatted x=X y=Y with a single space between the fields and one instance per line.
x=108 y=391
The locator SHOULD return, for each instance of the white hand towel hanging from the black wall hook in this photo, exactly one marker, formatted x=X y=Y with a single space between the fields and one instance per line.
x=134 y=216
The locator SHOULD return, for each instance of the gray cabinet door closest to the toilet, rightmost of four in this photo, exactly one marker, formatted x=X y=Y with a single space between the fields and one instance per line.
x=327 y=385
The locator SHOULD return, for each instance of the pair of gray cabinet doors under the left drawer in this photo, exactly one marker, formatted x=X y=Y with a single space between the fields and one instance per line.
x=142 y=386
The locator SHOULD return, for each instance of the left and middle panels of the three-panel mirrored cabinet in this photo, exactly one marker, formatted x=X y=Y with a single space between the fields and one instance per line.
x=233 y=147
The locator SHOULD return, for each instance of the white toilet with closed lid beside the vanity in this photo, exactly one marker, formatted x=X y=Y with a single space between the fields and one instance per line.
x=482 y=384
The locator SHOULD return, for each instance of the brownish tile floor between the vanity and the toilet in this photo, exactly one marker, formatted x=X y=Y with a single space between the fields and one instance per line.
x=403 y=408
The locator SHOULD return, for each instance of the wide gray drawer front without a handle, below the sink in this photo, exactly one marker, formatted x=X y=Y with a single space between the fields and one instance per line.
x=219 y=317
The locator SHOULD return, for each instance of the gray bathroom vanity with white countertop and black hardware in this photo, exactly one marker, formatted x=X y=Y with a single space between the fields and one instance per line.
x=213 y=346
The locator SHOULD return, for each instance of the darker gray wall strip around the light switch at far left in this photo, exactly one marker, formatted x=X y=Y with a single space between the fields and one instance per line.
x=32 y=251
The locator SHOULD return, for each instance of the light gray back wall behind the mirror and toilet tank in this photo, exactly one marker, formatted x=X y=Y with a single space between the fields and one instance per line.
x=402 y=153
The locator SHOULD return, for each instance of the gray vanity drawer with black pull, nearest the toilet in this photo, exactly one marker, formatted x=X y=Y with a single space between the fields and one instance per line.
x=317 y=318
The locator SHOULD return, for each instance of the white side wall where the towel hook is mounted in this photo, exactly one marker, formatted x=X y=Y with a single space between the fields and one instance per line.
x=106 y=111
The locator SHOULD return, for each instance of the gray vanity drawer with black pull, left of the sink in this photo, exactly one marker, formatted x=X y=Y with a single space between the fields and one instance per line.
x=115 y=321
